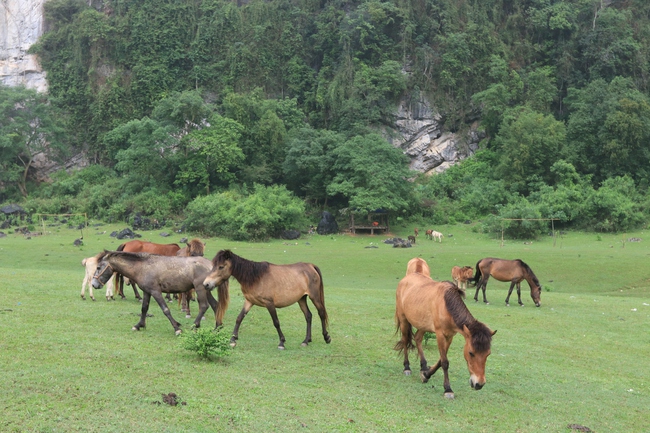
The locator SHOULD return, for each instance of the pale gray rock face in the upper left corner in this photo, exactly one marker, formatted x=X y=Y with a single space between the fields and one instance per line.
x=21 y=24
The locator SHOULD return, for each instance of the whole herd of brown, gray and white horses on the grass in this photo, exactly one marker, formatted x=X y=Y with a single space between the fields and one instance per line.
x=421 y=304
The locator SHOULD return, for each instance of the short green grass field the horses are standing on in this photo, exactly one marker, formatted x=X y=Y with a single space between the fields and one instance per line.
x=583 y=358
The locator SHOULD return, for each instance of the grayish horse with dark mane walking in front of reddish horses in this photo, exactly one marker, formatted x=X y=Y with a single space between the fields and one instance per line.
x=162 y=274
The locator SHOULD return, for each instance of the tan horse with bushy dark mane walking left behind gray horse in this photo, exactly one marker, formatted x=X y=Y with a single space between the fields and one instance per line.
x=272 y=286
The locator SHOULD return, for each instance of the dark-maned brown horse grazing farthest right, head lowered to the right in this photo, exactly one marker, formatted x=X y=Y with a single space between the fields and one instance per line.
x=507 y=270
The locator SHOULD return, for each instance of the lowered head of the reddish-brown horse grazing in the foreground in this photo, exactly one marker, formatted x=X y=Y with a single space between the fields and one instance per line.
x=478 y=339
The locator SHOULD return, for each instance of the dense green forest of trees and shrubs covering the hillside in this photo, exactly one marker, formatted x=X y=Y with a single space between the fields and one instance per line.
x=245 y=118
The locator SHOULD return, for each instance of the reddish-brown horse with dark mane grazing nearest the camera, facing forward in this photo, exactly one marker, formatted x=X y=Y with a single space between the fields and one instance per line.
x=432 y=306
